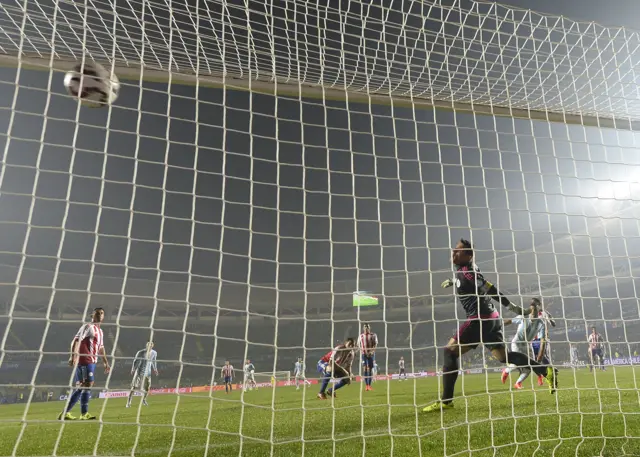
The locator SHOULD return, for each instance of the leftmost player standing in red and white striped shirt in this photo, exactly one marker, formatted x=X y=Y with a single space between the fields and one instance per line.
x=86 y=346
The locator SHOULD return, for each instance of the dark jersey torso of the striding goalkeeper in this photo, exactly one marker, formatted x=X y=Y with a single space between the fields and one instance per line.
x=471 y=288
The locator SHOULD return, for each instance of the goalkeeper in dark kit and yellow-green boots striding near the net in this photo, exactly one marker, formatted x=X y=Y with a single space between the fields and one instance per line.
x=483 y=326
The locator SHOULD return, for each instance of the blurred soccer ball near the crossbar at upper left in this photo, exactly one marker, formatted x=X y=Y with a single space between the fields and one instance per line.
x=92 y=84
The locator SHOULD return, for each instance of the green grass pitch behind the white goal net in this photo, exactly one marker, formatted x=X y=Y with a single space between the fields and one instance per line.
x=592 y=415
